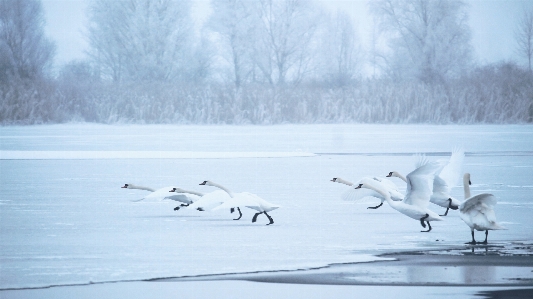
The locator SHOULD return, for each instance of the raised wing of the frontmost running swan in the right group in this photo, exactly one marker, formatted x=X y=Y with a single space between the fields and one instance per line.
x=420 y=184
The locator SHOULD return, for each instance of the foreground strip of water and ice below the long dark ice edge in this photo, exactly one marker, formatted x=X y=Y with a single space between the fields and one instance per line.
x=485 y=271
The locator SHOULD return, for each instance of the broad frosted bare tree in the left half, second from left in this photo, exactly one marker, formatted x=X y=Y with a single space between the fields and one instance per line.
x=140 y=39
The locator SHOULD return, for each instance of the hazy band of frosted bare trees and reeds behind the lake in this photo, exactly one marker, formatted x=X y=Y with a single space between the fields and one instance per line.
x=261 y=62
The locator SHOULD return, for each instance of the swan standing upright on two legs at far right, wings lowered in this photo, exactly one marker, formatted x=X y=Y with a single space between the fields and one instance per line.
x=478 y=211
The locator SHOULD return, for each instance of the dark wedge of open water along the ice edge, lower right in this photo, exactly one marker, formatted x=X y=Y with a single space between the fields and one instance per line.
x=491 y=265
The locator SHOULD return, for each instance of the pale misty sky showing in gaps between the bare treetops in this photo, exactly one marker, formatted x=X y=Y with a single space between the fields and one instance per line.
x=492 y=23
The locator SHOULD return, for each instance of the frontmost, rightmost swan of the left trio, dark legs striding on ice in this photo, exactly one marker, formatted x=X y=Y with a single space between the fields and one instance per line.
x=245 y=199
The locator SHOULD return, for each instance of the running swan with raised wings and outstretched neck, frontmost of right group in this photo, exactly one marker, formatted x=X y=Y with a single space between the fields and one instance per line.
x=417 y=196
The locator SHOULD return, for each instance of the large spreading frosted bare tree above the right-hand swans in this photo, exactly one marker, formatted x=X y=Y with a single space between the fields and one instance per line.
x=429 y=40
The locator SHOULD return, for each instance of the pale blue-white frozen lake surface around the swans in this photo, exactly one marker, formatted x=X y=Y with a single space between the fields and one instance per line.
x=65 y=220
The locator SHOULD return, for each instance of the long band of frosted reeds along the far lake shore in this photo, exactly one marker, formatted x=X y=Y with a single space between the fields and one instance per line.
x=493 y=94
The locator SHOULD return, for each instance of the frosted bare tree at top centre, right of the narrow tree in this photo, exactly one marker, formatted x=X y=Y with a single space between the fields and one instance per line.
x=283 y=39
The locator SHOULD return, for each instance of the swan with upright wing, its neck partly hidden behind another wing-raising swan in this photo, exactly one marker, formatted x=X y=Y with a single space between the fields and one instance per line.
x=444 y=182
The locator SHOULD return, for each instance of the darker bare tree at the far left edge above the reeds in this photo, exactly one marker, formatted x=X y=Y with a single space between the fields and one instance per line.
x=24 y=49
